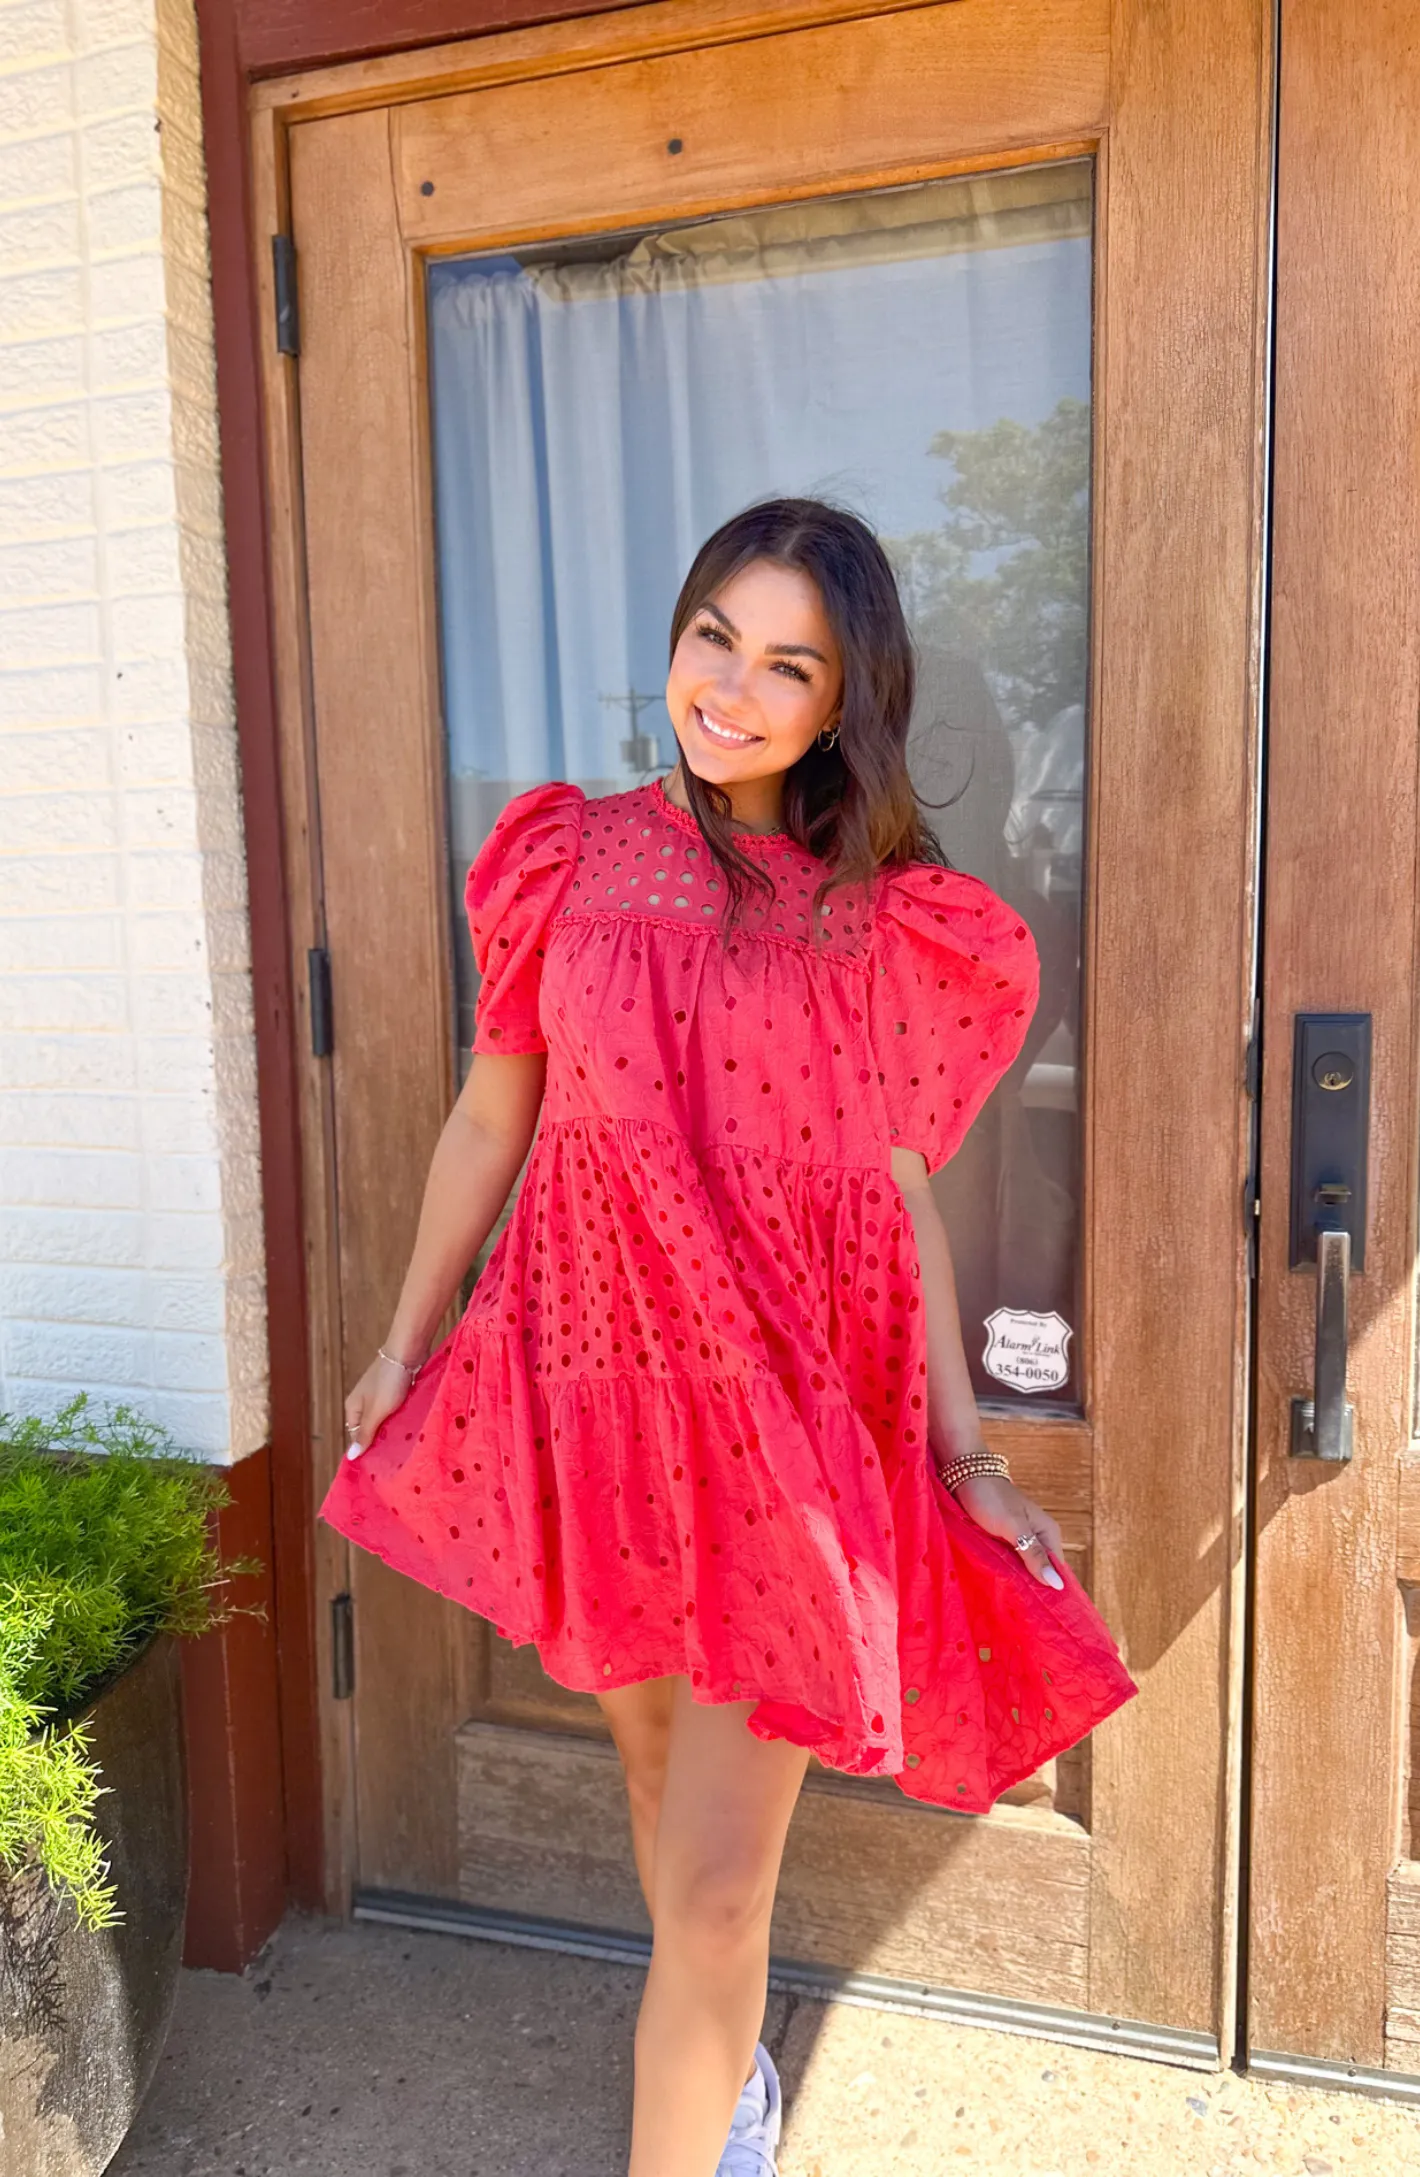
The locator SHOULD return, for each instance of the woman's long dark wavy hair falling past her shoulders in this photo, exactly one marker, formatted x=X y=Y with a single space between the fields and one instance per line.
x=853 y=807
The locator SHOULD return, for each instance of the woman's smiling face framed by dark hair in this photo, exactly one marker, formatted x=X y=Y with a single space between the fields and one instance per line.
x=755 y=676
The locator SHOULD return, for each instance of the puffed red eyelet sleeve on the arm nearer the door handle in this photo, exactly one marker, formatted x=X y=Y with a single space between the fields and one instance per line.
x=953 y=987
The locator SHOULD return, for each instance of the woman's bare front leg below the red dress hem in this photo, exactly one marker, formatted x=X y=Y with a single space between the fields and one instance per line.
x=724 y=1817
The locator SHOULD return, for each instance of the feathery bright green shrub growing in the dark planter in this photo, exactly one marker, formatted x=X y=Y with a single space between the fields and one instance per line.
x=106 y=1540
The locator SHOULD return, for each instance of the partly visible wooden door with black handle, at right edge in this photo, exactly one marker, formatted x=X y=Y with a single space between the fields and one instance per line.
x=1334 y=1956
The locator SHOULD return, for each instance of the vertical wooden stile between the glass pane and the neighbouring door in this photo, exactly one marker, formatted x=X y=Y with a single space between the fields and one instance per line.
x=1175 y=778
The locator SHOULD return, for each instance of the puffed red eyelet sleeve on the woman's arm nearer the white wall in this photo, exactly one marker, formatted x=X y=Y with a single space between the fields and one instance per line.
x=513 y=894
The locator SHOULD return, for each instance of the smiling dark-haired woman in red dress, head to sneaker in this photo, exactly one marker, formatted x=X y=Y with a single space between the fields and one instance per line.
x=707 y=1431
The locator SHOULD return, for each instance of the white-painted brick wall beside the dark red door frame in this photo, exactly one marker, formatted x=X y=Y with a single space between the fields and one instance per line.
x=130 y=1201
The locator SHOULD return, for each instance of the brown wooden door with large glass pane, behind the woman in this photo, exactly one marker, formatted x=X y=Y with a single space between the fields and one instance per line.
x=458 y=1773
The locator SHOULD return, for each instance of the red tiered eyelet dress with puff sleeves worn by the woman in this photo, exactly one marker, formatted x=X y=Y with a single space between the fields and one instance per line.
x=683 y=1425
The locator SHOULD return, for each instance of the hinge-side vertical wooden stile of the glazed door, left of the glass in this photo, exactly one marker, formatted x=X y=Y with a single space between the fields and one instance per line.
x=419 y=1660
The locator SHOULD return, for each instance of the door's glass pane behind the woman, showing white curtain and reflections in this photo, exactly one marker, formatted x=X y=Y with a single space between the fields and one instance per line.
x=916 y=354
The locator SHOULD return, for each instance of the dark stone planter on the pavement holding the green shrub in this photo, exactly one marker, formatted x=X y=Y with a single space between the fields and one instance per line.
x=84 y=2015
